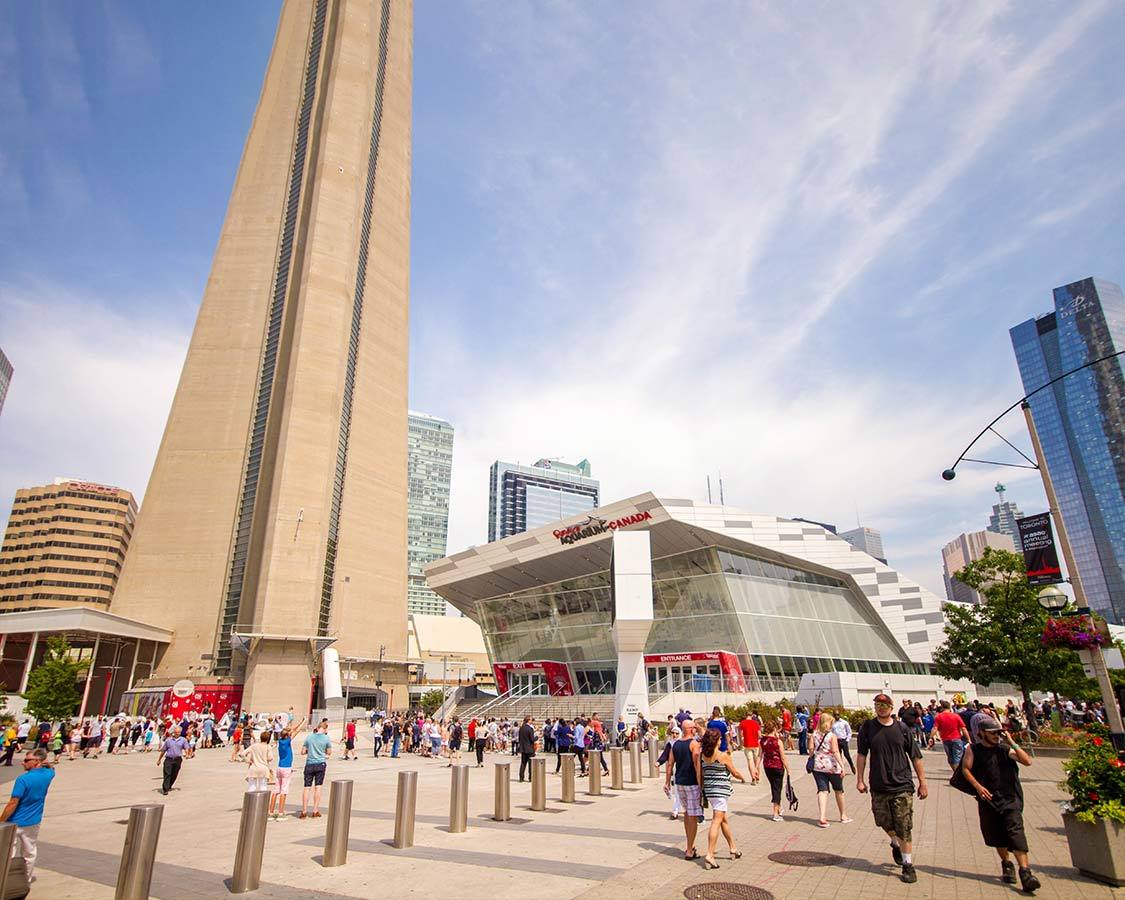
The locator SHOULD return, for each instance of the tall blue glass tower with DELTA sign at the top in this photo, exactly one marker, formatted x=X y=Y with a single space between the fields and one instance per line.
x=1081 y=421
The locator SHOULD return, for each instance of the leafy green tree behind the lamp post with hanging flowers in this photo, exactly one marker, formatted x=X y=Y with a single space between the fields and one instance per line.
x=1000 y=640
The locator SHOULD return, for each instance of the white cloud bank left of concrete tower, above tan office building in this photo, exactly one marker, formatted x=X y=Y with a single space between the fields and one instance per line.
x=92 y=389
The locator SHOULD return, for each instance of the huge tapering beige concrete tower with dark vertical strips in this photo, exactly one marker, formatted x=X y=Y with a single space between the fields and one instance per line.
x=275 y=521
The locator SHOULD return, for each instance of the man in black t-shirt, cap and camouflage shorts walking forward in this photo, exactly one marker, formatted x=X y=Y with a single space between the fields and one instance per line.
x=893 y=751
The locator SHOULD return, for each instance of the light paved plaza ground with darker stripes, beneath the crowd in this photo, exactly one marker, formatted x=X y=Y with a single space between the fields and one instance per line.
x=620 y=847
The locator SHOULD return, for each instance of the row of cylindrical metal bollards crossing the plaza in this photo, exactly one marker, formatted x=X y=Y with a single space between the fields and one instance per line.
x=134 y=878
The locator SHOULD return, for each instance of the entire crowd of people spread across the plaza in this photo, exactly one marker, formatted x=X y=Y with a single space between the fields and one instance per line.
x=980 y=741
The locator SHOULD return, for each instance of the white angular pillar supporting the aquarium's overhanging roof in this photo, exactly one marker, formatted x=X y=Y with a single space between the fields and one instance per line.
x=633 y=619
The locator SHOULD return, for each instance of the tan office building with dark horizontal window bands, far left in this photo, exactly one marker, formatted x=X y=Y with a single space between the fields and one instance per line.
x=65 y=546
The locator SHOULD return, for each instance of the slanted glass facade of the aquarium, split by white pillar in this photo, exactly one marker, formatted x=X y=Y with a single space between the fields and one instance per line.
x=778 y=620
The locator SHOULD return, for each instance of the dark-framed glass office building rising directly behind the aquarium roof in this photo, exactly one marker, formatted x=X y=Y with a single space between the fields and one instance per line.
x=523 y=498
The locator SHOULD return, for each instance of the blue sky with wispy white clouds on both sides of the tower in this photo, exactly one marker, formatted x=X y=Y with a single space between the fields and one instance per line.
x=784 y=242
